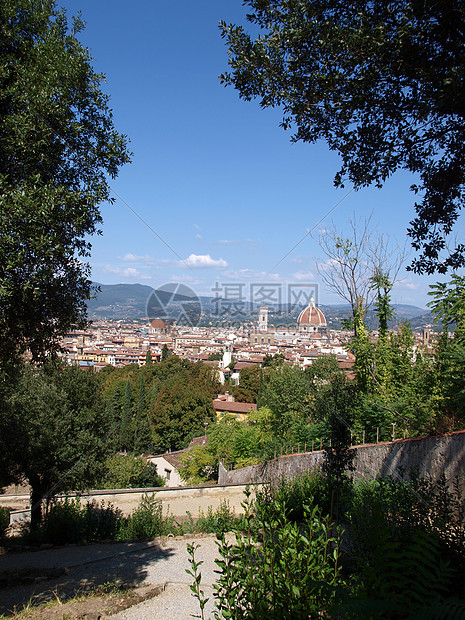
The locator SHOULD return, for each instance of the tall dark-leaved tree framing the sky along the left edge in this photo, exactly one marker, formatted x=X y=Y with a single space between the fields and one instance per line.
x=57 y=146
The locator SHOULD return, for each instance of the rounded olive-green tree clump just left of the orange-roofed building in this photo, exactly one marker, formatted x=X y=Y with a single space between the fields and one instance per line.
x=159 y=406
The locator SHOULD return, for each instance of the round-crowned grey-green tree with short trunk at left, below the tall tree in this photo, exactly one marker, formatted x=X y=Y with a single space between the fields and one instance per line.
x=60 y=432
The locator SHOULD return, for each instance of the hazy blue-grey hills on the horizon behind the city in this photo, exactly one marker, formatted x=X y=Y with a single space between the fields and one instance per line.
x=128 y=301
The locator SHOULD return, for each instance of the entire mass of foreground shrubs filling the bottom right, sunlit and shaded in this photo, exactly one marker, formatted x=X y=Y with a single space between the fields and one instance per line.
x=396 y=550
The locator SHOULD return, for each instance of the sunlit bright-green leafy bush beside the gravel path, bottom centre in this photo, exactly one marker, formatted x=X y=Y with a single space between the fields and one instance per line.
x=275 y=569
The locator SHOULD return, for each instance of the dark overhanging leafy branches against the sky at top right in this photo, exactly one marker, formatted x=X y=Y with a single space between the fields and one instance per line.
x=382 y=83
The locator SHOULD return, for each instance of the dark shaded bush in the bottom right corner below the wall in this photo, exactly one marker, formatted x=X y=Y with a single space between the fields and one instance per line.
x=406 y=540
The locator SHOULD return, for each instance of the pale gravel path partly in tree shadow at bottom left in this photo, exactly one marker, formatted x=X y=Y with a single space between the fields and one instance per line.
x=153 y=563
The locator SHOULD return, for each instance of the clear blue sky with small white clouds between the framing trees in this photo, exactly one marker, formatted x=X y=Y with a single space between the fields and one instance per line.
x=215 y=177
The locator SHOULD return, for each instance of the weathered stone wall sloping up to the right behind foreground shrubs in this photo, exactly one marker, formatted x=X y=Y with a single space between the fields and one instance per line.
x=431 y=456
